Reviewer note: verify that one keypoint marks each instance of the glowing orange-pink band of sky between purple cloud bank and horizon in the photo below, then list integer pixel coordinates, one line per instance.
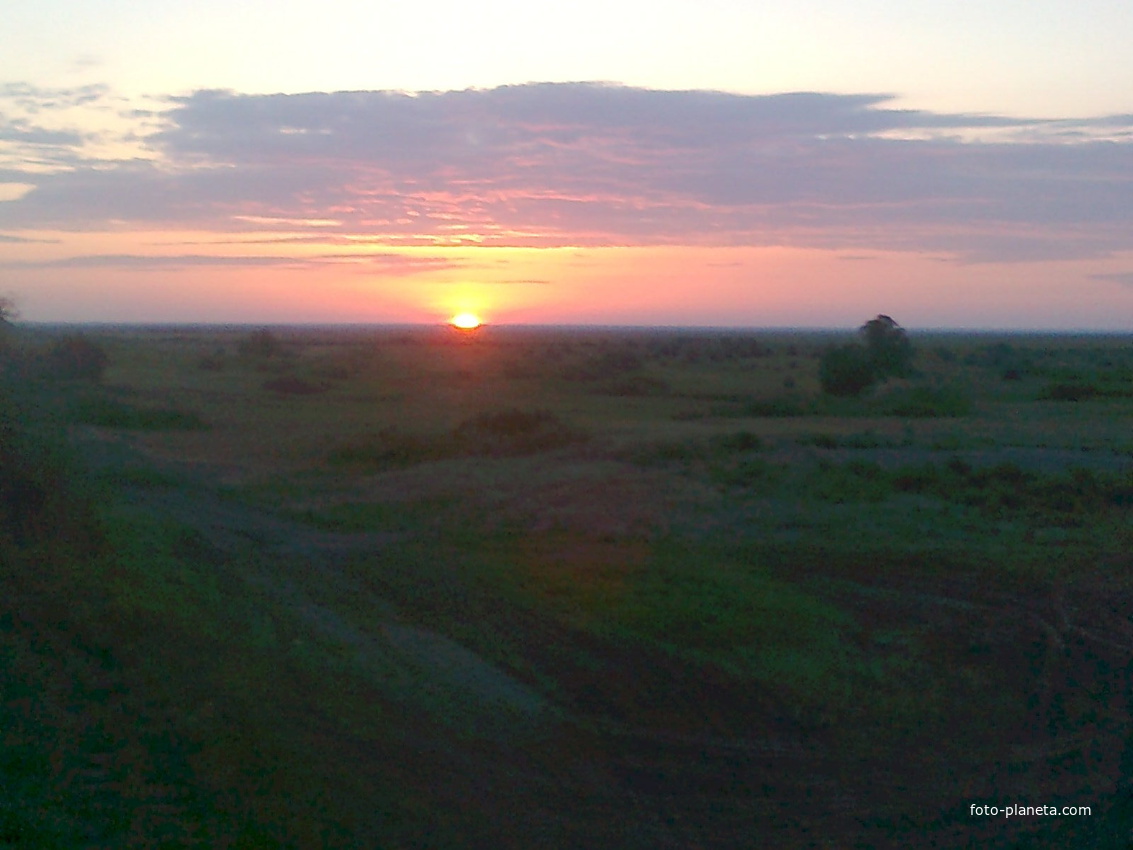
(652, 286)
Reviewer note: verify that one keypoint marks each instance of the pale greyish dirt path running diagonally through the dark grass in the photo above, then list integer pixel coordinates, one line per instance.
(302, 569)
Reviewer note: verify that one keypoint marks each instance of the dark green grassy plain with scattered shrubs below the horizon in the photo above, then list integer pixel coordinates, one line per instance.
(516, 589)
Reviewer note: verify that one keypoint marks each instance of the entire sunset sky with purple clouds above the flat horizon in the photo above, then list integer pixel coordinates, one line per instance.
(719, 163)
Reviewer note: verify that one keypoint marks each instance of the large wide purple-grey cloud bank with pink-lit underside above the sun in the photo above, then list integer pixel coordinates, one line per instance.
(583, 165)
